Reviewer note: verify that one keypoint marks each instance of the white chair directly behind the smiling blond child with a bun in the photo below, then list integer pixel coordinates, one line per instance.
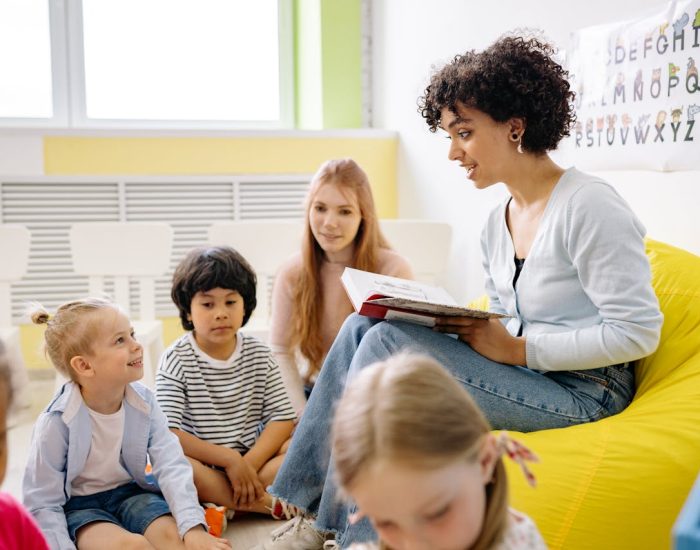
(124, 250)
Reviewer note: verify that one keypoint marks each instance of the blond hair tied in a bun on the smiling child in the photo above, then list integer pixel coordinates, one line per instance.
(68, 332)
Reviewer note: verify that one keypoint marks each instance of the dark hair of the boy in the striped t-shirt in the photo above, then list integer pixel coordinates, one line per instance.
(216, 267)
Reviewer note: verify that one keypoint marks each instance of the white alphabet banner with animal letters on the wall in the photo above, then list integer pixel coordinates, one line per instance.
(638, 92)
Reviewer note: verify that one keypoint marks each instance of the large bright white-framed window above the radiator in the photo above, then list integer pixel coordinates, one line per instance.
(152, 64)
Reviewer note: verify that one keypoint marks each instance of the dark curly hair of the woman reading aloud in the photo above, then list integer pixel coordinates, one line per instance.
(515, 77)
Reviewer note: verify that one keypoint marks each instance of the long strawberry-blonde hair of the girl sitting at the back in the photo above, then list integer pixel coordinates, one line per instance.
(308, 301)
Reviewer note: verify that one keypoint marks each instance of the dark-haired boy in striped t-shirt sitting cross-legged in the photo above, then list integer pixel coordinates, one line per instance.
(221, 389)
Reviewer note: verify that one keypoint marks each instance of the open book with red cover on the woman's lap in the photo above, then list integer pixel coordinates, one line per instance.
(385, 297)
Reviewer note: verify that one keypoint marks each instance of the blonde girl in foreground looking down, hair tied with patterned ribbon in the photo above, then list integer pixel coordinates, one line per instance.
(416, 455)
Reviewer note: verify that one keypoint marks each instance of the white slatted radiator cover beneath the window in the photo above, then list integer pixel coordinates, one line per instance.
(48, 205)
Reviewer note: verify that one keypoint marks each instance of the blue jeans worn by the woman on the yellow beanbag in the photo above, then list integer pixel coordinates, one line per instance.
(512, 398)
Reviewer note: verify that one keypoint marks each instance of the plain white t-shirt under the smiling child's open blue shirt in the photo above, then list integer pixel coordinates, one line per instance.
(103, 468)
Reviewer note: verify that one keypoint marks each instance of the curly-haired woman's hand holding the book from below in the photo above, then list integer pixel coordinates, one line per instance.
(488, 337)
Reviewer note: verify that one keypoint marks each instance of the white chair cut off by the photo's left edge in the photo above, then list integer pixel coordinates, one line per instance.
(14, 250)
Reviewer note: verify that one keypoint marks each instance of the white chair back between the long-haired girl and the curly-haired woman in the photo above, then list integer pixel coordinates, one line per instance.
(425, 244)
